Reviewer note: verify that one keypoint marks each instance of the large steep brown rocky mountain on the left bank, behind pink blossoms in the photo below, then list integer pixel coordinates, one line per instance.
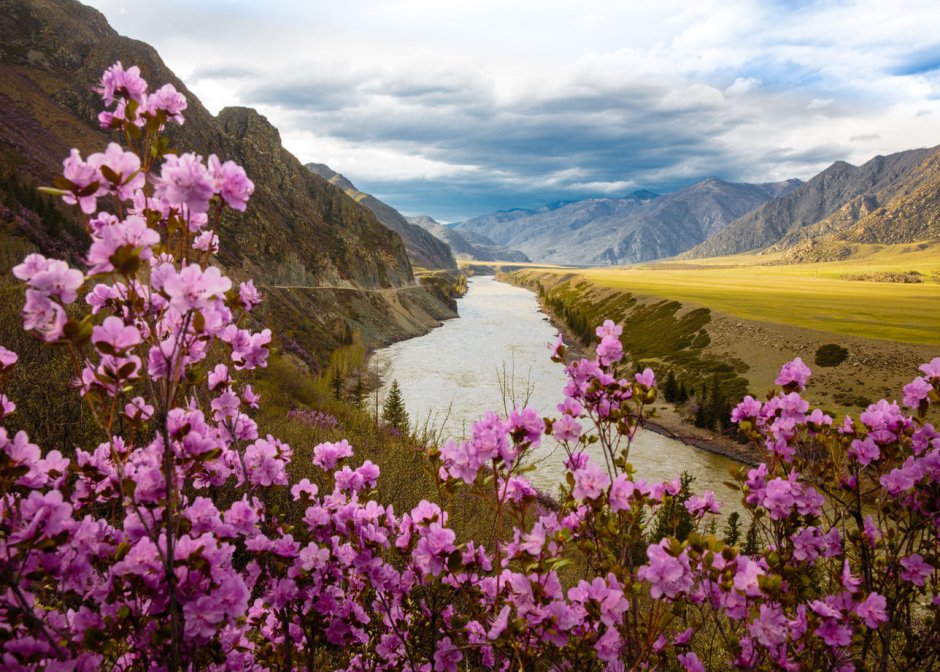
(324, 262)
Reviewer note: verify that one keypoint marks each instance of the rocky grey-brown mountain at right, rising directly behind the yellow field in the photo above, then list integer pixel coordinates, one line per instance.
(837, 201)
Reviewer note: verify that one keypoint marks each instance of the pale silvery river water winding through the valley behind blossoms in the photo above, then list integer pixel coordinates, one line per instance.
(496, 353)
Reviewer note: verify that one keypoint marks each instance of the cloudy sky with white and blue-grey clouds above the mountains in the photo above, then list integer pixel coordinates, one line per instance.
(455, 108)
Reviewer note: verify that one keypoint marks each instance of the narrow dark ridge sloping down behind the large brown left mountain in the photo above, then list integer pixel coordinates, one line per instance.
(424, 249)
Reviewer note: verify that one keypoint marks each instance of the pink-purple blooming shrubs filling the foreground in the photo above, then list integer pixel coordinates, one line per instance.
(122, 555)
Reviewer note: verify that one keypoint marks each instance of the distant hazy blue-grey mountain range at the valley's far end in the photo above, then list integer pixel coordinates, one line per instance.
(641, 227)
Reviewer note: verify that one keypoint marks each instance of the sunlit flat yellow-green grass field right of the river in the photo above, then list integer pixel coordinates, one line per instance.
(813, 296)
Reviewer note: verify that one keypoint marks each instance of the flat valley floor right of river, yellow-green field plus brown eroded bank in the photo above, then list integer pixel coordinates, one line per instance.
(760, 315)
